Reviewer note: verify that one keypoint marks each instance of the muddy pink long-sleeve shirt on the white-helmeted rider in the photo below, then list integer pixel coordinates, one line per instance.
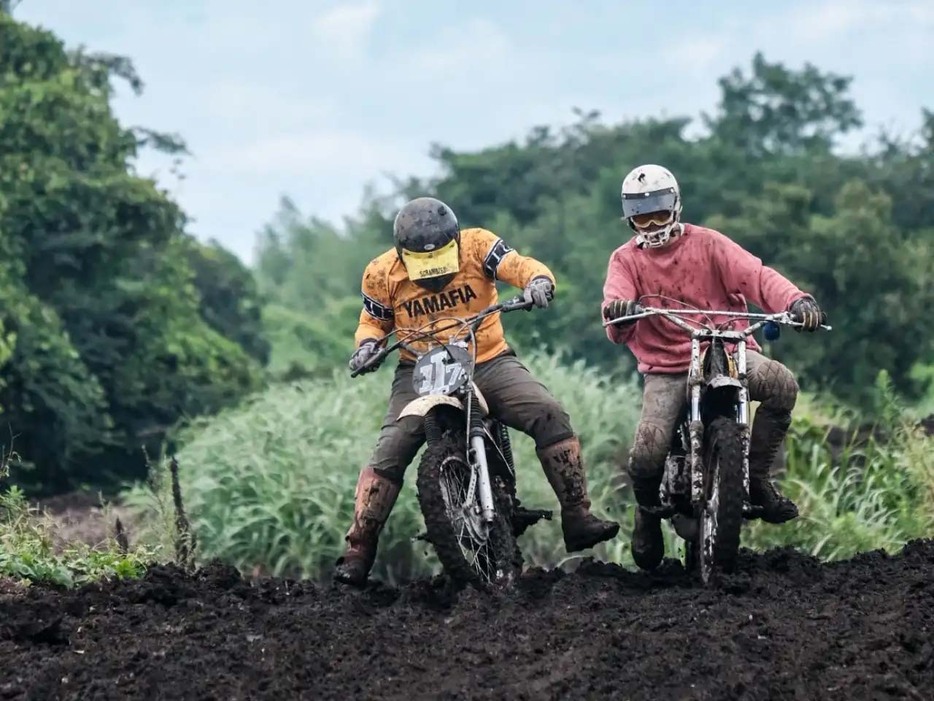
(701, 269)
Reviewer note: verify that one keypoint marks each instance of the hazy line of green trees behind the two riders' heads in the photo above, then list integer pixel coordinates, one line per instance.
(856, 229)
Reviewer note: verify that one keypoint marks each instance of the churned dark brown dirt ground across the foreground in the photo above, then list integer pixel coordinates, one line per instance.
(783, 627)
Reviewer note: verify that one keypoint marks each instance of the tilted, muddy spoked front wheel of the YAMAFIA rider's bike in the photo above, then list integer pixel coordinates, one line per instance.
(470, 549)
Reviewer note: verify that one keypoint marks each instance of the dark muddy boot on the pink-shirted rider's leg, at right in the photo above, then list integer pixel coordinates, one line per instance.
(768, 431)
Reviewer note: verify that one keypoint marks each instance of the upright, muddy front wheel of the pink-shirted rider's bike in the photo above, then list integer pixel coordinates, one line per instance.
(721, 519)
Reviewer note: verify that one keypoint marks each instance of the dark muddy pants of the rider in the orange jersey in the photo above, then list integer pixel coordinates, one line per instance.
(514, 397)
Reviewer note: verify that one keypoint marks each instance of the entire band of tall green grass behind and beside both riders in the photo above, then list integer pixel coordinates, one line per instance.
(270, 484)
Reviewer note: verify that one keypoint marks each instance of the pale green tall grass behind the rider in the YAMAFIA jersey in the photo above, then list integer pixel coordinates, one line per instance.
(271, 483)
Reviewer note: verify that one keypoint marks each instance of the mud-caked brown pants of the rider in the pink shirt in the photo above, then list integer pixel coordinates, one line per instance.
(665, 397)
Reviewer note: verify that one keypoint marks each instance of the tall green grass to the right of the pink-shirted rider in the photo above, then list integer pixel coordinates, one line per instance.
(870, 493)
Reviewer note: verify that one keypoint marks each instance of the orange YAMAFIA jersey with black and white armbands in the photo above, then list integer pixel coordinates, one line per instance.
(392, 301)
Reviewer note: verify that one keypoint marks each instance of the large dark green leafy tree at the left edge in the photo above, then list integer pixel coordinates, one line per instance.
(109, 348)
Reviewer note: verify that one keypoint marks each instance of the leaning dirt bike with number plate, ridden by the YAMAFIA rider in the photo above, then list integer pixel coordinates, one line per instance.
(466, 482)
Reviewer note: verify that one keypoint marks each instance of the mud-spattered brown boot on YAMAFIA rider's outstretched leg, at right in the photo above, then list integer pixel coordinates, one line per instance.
(564, 469)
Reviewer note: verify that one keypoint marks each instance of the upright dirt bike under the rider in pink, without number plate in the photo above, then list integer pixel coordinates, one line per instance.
(705, 488)
